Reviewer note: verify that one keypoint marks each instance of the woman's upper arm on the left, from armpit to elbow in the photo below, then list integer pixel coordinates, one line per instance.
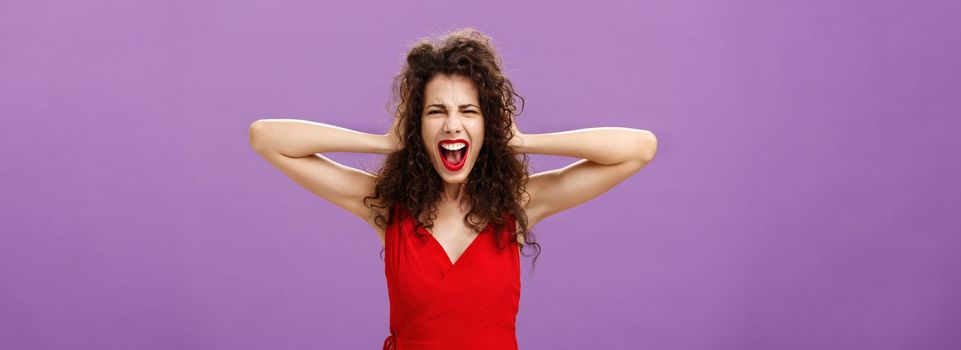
(341, 185)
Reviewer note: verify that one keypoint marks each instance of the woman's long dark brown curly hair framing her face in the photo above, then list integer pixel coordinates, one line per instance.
(498, 180)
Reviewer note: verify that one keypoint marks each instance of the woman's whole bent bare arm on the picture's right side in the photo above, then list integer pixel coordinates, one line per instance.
(610, 155)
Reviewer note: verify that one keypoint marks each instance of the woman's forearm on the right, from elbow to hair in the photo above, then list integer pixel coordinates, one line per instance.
(605, 145)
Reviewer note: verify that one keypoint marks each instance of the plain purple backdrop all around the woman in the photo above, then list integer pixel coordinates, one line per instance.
(804, 195)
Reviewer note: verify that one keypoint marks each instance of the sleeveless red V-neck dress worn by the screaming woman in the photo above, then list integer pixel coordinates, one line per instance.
(435, 304)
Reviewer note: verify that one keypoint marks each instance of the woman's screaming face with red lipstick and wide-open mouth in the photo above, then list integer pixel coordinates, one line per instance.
(452, 126)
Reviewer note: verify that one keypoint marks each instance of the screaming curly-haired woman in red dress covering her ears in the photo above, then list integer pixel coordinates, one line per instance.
(452, 200)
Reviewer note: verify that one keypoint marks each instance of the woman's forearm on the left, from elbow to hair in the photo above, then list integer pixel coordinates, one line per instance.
(301, 138)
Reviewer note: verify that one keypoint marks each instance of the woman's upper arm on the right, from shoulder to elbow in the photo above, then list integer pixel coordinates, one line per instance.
(557, 190)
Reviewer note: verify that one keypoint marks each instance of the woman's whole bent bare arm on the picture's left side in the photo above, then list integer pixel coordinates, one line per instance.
(293, 147)
